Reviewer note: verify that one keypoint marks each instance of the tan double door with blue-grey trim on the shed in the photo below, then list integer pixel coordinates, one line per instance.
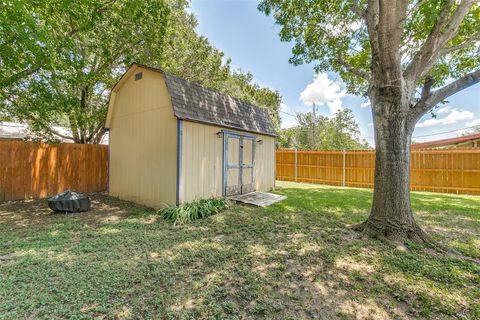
(239, 160)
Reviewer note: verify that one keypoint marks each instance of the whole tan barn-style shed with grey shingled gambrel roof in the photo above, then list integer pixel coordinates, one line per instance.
(173, 141)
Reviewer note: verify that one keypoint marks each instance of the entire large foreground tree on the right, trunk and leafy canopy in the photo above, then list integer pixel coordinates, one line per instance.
(387, 50)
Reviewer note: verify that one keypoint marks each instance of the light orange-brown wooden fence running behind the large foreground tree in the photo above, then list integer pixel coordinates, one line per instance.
(447, 170)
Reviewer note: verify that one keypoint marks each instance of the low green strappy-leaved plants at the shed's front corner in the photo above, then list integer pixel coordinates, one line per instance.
(194, 210)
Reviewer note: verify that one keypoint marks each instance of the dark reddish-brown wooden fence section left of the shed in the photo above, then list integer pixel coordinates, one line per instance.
(37, 170)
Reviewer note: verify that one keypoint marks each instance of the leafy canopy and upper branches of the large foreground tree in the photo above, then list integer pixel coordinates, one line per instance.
(438, 40)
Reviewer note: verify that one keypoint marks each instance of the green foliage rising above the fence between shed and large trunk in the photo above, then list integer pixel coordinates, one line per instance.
(323, 133)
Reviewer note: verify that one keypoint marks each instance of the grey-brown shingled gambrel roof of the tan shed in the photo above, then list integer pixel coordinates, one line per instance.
(195, 103)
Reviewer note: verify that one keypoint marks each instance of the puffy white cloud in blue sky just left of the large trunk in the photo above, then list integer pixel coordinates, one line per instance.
(323, 91)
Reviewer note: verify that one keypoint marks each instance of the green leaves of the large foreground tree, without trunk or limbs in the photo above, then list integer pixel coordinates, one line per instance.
(324, 31)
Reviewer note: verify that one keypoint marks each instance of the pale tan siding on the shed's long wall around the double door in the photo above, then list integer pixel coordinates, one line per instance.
(202, 162)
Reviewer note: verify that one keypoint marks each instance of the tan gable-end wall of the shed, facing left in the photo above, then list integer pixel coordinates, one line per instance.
(143, 142)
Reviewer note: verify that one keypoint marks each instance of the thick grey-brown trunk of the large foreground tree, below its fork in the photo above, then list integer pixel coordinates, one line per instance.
(391, 214)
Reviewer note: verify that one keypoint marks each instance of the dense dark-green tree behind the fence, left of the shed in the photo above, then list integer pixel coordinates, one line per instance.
(75, 51)
